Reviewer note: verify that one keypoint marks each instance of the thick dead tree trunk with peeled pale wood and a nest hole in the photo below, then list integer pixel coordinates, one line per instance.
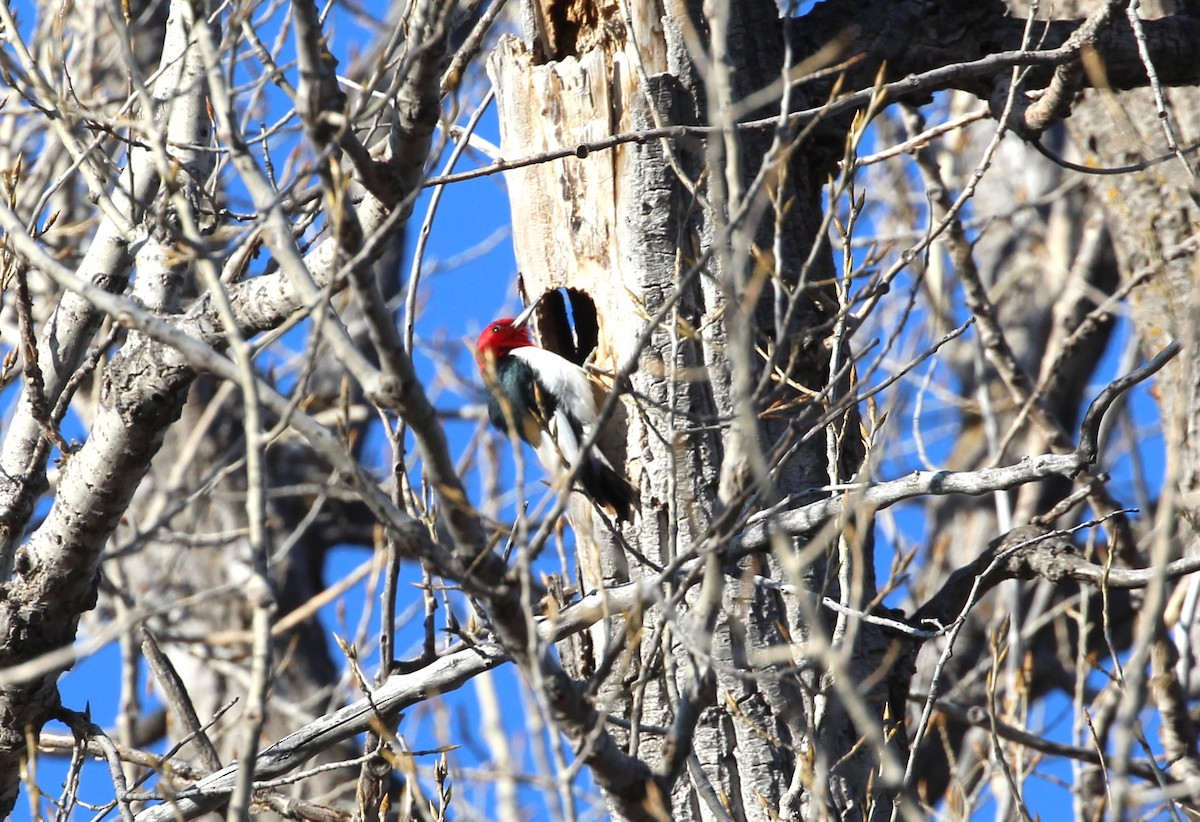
(686, 265)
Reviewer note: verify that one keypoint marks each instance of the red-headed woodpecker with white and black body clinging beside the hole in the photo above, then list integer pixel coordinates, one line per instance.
(554, 405)
